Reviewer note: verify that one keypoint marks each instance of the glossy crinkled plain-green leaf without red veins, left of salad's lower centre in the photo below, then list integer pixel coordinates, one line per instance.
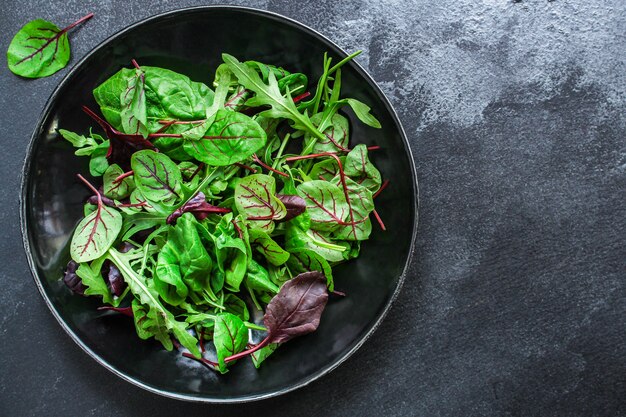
(183, 263)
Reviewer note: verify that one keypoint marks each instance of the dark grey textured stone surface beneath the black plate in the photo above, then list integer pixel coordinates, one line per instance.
(516, 301)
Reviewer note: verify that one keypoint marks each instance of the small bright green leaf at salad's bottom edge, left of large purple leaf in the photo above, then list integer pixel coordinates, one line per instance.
(230, 336)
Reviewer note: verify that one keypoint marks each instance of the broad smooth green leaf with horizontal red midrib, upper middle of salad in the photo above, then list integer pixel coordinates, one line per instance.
(231, 138)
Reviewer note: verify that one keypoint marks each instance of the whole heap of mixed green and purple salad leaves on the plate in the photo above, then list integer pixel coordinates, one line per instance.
(214, 207)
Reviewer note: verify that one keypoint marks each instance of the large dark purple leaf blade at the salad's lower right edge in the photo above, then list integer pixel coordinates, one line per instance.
(297, 308)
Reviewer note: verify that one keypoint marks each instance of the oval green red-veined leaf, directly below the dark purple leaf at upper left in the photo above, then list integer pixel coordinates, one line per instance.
(157, 176)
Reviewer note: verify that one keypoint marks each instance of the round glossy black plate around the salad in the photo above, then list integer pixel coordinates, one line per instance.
(191, 41)
